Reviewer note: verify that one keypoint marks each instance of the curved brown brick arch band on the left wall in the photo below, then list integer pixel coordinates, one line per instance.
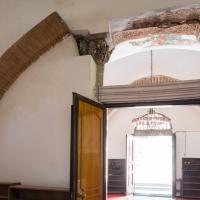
(29, 48)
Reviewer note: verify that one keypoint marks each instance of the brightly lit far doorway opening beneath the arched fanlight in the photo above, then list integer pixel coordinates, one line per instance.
(153, 165)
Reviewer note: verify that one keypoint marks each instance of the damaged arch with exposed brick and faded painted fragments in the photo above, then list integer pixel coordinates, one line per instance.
(164, 27)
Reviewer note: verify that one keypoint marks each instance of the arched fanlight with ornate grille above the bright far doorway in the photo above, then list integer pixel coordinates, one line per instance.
(152, 123)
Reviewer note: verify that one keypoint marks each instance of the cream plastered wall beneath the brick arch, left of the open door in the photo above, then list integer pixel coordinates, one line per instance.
(35, 117)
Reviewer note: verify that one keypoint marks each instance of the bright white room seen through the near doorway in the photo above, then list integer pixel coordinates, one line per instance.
(157, 155)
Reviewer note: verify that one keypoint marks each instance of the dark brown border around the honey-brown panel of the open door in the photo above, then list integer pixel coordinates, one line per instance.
(74, 142)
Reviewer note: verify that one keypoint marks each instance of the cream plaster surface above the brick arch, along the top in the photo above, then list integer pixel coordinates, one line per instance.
(19, 16)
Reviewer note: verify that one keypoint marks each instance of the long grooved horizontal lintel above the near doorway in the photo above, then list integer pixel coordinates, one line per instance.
(129, 94)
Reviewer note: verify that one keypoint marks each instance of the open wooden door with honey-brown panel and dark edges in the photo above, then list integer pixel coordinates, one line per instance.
(87, 150)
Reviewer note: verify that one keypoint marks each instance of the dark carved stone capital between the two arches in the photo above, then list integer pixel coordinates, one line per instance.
(94, 45)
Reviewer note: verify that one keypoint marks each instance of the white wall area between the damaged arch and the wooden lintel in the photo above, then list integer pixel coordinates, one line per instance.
(176, 62)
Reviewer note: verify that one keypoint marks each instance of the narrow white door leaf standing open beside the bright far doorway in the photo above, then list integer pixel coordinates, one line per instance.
(130, 164)
